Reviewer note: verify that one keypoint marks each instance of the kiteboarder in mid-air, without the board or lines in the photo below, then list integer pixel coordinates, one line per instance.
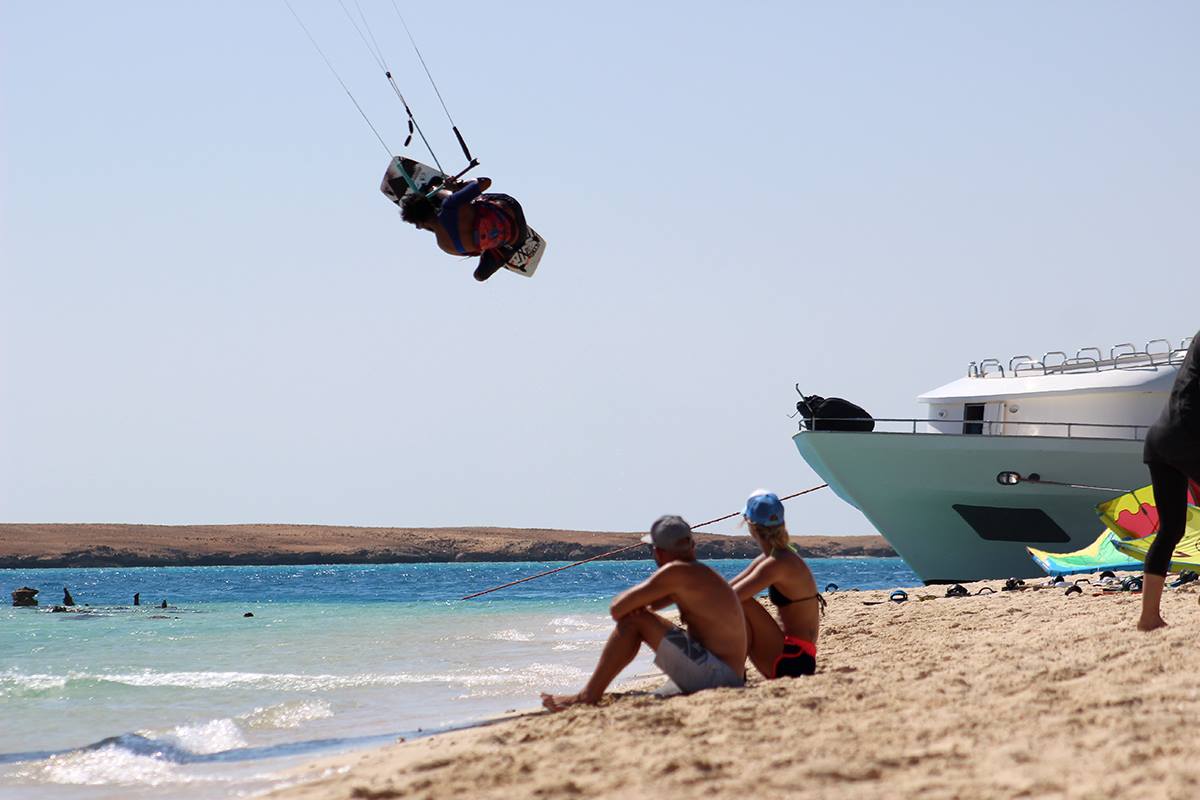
(469, 222)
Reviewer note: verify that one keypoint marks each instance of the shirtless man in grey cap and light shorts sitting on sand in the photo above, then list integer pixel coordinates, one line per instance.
(711, 653)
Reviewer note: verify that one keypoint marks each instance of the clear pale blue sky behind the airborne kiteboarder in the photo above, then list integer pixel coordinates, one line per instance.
(211, 315)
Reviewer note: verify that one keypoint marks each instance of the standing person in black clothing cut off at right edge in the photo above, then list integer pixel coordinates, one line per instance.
(1173, 455)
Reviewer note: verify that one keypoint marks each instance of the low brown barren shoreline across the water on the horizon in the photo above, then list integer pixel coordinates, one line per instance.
(65, 546)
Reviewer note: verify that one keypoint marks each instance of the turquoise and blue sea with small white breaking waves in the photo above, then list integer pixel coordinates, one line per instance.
(251, 671)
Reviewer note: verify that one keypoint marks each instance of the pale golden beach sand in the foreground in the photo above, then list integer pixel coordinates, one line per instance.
(1012, 695)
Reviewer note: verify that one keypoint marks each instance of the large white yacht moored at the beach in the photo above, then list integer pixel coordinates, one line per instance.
(931, 485)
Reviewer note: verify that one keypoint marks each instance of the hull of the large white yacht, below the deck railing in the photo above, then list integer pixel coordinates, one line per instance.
(937, 501)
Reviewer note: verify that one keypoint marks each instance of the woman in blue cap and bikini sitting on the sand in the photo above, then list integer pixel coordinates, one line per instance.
(778, 652)
